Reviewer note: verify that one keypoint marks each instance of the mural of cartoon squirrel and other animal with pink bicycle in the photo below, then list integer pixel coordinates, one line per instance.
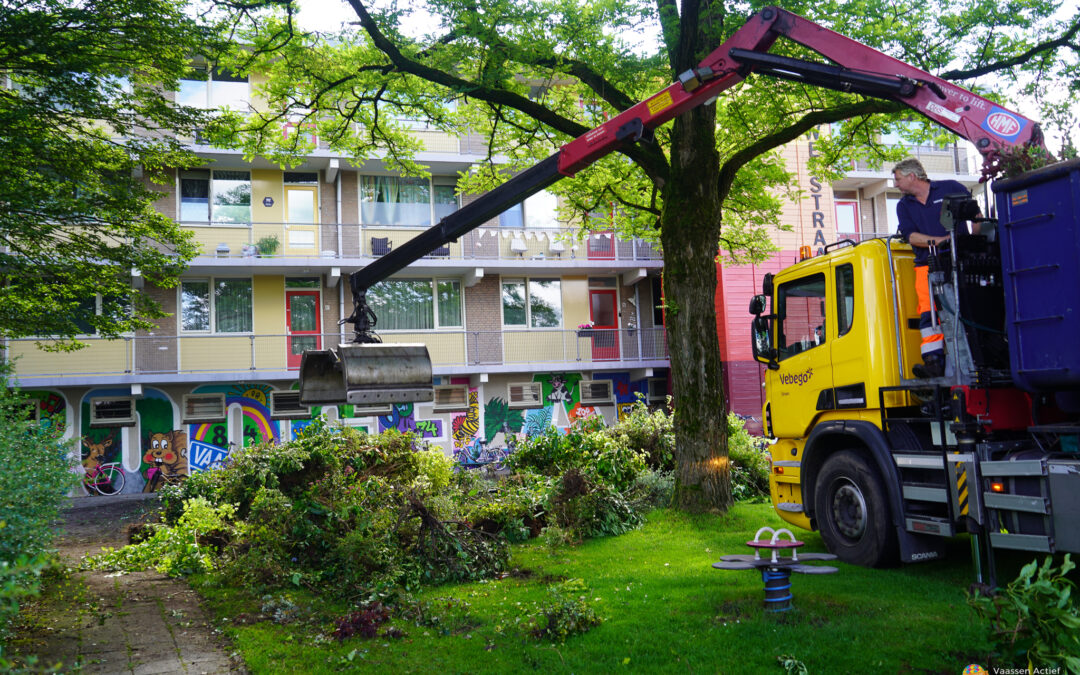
(158, 421)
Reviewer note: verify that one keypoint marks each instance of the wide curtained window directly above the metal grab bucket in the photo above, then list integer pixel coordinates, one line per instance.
(417, 304)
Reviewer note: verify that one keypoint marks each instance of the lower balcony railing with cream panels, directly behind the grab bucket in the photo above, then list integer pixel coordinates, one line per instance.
(224, 355)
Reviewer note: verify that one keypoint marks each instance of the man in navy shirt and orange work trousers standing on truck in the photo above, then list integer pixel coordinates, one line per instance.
(920, 214)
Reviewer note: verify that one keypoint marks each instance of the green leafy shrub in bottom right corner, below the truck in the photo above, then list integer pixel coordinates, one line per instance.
(1035, 618)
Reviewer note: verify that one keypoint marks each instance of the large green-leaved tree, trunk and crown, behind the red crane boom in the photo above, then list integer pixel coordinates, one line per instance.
(530, 75)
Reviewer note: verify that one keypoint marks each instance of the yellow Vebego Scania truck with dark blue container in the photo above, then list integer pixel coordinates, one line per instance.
(885, 465)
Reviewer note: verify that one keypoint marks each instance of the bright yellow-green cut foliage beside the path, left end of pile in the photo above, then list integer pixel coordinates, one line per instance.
(178, 551)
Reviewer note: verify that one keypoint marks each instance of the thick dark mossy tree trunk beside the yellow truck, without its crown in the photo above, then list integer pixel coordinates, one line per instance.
(691, 227)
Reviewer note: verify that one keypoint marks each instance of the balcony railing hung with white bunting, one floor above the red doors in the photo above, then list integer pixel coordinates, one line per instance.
(361, 241)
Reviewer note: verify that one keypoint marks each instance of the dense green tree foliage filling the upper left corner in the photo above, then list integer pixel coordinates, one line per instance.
(87, 127)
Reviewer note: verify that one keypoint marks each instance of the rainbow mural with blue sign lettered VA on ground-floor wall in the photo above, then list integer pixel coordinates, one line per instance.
(209, 442)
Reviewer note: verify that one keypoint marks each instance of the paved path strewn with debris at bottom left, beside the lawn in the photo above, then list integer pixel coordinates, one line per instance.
(142, 624)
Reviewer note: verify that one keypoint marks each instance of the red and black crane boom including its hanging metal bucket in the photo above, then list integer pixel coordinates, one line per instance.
(368, 372)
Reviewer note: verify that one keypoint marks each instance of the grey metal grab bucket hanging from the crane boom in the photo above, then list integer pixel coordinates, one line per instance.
(367, 375)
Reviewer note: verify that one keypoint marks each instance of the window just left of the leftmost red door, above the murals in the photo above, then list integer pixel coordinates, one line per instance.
(217, 306)
